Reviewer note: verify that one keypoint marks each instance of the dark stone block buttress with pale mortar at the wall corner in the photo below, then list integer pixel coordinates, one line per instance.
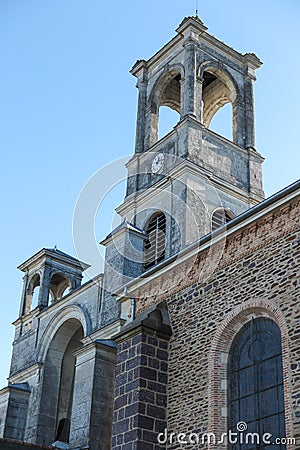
(140, 410)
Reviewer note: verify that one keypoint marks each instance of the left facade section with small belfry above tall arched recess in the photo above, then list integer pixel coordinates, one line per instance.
(41, 362)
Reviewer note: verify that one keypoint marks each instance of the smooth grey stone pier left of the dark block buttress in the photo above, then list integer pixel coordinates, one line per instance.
(92, 410)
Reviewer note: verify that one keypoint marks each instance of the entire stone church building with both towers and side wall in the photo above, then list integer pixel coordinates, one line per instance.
(138, 357)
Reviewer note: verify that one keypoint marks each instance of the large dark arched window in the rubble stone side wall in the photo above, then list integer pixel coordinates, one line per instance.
(255, 382)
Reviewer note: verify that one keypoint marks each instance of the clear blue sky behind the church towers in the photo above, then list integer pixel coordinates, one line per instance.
(68, 107)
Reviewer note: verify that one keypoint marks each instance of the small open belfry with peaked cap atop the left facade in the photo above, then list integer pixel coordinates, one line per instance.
(52, 272)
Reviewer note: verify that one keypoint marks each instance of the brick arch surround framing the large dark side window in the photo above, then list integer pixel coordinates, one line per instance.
(219, 354)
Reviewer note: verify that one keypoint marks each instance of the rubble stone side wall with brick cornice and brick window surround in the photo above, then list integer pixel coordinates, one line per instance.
(259, 272)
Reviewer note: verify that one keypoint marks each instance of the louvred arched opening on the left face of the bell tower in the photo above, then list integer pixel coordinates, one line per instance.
(154, 250)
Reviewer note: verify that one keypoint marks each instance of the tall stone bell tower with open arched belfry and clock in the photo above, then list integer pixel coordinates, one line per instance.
(195, 177)
